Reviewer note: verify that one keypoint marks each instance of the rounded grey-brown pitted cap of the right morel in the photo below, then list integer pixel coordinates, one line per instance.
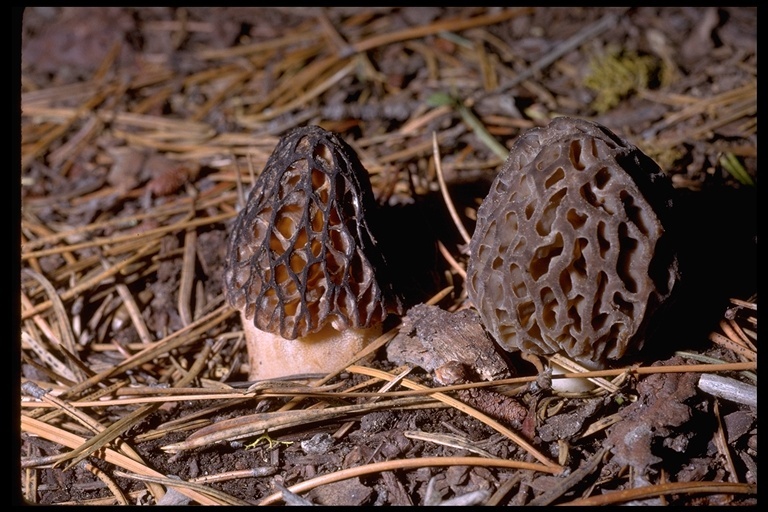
(570, 253)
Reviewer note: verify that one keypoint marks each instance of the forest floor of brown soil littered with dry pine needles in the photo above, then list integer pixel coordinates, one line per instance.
(141, 128)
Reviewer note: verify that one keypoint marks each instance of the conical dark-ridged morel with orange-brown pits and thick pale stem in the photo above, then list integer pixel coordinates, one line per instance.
(303, 266)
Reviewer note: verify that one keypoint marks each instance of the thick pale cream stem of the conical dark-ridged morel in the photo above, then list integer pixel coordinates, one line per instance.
(271, 356)
